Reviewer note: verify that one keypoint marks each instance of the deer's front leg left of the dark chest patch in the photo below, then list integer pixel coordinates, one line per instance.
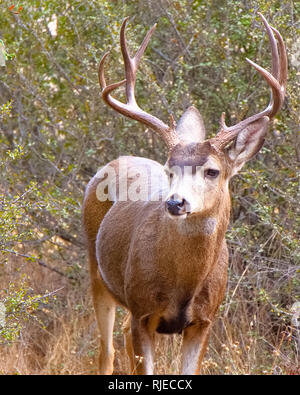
(143, 346)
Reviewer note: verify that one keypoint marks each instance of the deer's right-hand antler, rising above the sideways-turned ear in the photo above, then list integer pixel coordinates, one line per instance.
(277, 81)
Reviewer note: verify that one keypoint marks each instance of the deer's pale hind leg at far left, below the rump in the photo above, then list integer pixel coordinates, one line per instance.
(104, 306)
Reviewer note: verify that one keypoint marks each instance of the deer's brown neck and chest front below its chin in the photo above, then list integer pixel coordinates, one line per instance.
(192, 245)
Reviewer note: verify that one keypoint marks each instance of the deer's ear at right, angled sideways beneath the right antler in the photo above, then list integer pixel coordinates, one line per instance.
(248, 142)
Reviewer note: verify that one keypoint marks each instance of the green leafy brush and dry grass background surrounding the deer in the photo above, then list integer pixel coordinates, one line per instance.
(56, 132)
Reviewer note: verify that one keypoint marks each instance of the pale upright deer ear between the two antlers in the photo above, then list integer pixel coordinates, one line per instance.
(190, 126)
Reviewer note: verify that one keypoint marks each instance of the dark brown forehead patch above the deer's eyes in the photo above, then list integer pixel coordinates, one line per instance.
(193, 154)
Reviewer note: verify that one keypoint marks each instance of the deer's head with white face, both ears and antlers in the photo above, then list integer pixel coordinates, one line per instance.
(200, 168)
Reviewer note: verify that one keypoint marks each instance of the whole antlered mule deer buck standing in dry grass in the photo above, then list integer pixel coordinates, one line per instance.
(163, 256)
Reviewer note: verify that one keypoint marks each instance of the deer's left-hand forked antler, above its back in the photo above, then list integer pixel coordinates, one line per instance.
(131, 108)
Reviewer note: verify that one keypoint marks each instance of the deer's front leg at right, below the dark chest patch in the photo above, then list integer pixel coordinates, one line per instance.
(195, 340)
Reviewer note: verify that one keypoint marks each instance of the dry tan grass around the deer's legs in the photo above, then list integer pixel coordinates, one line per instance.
(68, 343)
